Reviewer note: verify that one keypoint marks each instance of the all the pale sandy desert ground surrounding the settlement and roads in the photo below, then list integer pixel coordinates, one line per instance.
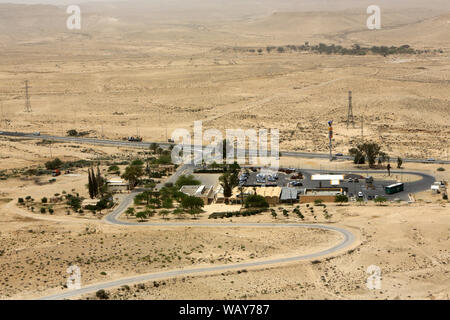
(129, 75)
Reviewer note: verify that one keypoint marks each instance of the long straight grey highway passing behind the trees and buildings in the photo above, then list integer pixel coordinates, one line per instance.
(147, 145)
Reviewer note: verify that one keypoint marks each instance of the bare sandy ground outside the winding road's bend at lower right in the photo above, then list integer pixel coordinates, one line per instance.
(409, 244)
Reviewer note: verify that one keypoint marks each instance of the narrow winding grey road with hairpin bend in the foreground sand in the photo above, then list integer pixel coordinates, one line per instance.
(347, 241)
